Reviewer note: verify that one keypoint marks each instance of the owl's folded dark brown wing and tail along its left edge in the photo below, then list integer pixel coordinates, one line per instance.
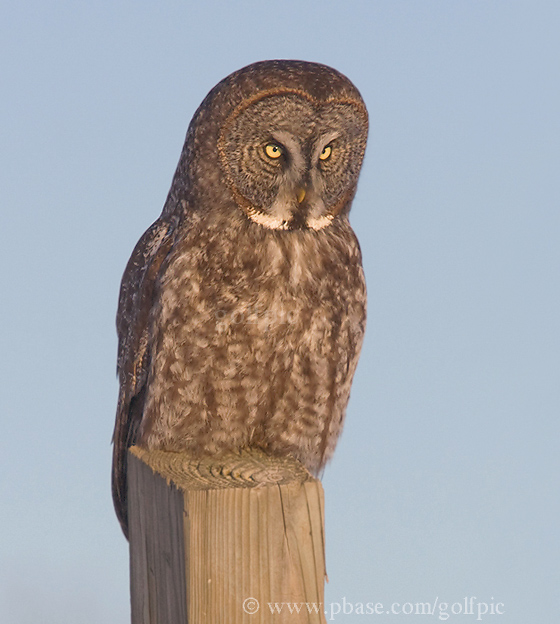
(135, 303)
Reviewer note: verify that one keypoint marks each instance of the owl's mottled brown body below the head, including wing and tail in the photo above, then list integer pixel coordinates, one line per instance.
(225, 342)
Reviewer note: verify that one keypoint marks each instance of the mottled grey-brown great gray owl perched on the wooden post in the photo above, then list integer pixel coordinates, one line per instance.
(242, 309)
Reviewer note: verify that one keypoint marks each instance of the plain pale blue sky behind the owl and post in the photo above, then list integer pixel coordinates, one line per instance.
(445, 482)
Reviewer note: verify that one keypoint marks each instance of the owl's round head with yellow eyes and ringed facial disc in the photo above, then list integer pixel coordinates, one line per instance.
(285, 140)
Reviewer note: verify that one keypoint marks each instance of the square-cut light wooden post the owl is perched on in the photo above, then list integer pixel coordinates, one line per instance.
(236, 540)
